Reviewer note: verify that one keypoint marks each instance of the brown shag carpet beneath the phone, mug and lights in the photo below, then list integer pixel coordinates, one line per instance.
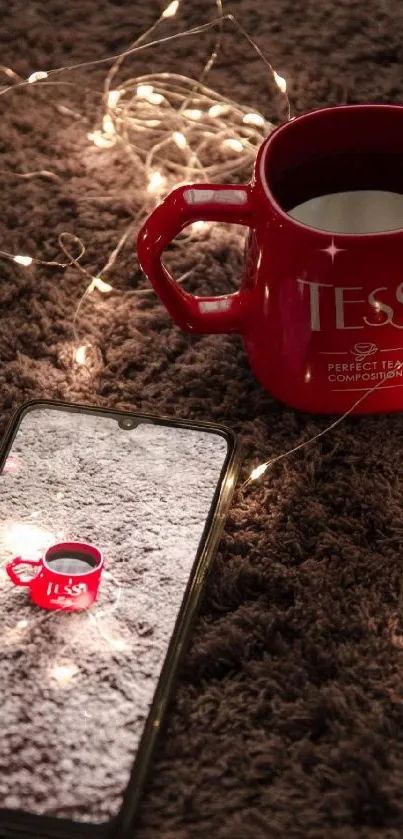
(288, 715)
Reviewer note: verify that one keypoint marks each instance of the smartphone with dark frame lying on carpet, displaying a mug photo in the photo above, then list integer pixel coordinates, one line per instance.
(108, 526)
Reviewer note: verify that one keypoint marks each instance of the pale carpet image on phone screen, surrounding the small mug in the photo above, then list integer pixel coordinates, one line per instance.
(76, 687)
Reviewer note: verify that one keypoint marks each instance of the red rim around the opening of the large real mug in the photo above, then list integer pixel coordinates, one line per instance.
(261, 178)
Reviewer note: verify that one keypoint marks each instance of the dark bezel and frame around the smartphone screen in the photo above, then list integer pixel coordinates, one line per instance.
(26, 825)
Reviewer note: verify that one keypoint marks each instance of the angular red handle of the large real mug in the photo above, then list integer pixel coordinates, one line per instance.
(186, 204)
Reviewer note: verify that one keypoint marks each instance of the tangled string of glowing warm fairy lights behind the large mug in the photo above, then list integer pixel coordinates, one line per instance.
(171, 127)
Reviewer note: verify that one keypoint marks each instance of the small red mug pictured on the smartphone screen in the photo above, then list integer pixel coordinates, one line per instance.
(67, 579)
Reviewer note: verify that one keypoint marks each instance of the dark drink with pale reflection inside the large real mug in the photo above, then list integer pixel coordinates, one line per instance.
(346, 193)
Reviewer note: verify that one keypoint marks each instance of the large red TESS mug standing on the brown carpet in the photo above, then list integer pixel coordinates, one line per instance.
(320, 306)
